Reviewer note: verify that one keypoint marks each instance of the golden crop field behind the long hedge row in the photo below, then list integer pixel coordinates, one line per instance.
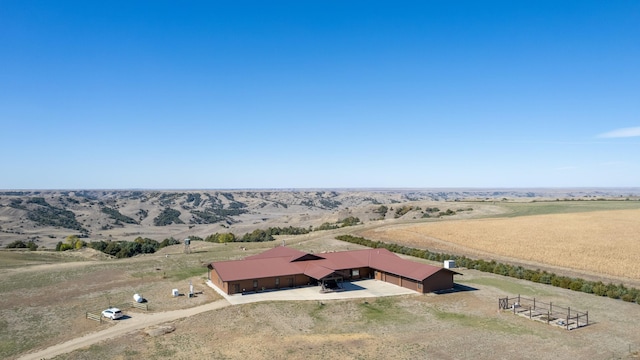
(603, 242)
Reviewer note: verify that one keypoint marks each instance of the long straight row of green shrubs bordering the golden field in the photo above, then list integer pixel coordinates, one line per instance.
(614, 291)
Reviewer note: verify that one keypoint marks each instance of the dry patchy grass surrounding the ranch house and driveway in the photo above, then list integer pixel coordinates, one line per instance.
(43, 299)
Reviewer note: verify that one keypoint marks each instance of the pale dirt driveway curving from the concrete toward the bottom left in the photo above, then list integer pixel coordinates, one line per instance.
(134, 323)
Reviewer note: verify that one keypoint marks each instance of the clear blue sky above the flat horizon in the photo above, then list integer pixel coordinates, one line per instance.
(319, 94)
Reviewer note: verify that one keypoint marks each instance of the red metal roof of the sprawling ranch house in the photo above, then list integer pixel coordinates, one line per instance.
(283, 261)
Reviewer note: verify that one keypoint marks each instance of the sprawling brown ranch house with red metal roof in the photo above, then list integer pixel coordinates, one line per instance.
(283, 267)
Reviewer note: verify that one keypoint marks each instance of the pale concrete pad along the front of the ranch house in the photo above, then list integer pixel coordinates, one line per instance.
(350, 290)
